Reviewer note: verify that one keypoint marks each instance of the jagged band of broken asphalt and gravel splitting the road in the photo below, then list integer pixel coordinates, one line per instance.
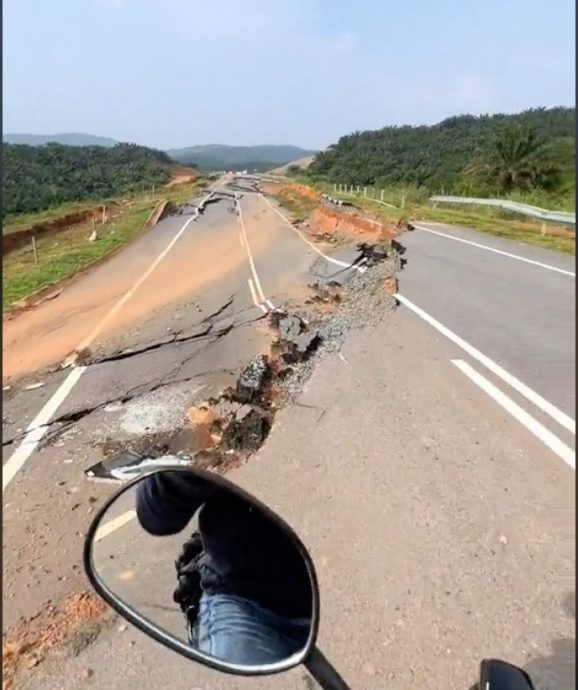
(226, 429)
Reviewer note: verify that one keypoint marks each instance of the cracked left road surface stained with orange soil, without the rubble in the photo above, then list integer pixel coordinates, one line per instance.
(182, 338)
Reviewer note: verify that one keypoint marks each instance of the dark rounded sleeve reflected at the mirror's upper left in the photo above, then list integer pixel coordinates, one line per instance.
(166, 501)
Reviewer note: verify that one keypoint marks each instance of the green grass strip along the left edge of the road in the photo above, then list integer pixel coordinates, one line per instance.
(64, 254)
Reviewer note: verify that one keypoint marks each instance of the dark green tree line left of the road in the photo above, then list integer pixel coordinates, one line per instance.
(35, 178)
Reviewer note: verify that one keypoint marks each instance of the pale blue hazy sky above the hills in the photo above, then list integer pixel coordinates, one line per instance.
(173, 73)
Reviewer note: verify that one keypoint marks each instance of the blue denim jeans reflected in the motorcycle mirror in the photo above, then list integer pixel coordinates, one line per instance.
(239, 631)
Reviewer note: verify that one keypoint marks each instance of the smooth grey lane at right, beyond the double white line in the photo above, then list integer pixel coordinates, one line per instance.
(522, 315)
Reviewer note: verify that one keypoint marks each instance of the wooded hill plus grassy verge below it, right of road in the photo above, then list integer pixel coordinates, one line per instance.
(527, 158)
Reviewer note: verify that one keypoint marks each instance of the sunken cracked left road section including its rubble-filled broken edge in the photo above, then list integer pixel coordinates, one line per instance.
(192, 368)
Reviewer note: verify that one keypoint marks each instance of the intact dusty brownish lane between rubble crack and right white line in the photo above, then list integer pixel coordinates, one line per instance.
(441, 530)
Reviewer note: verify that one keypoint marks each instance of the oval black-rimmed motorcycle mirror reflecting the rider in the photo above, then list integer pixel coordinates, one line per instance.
(207, 570)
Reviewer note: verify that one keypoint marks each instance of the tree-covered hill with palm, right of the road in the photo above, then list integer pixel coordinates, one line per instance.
(486, 154)
